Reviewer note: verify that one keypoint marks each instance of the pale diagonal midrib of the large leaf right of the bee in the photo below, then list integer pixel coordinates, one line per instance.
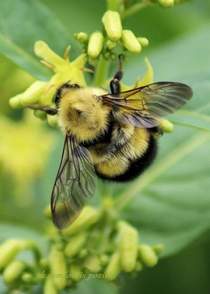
(151, 175)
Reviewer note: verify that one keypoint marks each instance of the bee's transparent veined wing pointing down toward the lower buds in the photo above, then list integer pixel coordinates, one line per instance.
(74, 183)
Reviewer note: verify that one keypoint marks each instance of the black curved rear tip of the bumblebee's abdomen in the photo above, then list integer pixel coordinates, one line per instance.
(138, 166)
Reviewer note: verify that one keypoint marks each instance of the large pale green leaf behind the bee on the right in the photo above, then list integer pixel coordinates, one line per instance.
(170, 202)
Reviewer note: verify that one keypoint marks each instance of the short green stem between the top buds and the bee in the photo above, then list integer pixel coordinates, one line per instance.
(101, 72)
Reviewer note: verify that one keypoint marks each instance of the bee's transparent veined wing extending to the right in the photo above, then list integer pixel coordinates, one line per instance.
(144, 105)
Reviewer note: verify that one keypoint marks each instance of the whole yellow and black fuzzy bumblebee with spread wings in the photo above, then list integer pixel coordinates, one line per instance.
(110, 135)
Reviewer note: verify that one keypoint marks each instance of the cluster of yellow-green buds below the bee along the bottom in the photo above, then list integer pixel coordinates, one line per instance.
(97, 244)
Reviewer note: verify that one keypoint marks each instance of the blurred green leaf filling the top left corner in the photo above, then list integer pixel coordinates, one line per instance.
(23, 22)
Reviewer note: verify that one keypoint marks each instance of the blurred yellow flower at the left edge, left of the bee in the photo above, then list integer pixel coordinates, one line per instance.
(16, 167)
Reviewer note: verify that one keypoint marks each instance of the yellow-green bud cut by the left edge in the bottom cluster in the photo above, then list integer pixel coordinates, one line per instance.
(8, 251)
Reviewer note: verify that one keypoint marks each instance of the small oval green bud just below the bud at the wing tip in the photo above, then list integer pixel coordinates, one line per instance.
(75, 244)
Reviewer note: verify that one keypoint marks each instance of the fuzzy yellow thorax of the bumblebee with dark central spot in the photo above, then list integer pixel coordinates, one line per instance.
(82, 114)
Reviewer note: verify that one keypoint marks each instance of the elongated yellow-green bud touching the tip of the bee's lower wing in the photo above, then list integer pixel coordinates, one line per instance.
(87, 218)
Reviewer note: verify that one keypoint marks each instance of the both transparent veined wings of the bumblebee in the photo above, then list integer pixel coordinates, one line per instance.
(141, 107)
